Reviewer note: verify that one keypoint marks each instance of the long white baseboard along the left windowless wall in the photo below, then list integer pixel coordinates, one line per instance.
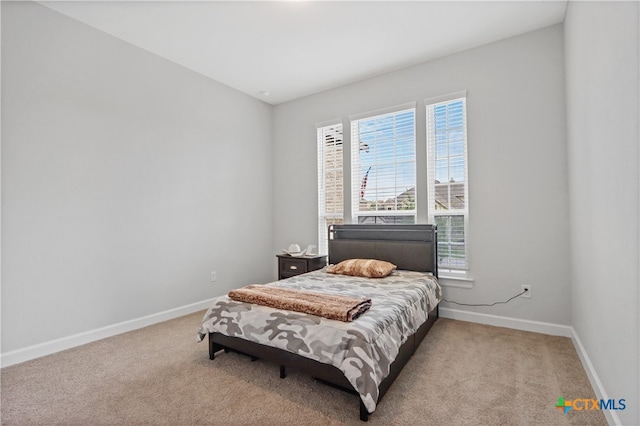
(57, 345)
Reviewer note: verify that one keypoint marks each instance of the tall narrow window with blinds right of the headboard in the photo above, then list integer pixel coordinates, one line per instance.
(448, 180)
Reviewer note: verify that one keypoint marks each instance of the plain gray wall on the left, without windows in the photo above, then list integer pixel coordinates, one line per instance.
(126, 179)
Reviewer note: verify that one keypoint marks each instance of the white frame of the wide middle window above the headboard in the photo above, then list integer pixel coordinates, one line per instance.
(356, 178)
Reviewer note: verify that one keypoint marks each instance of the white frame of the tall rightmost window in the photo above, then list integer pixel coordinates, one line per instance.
(447, 270)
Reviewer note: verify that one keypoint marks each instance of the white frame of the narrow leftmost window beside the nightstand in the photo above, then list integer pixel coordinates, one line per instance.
(326, 218)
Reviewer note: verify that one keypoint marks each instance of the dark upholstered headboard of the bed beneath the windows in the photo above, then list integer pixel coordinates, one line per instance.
(410, 247)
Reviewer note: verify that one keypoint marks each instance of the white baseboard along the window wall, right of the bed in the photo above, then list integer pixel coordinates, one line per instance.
(515, 323)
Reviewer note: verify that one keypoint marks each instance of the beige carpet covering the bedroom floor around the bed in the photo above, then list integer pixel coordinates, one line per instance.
(462, 374)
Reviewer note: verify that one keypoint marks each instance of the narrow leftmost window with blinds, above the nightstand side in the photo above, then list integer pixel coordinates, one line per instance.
(330, 182)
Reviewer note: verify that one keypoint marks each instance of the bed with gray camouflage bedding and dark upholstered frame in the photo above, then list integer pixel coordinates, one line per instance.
(363, 356)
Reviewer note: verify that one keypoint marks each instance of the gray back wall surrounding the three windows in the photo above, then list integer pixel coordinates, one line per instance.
(519, 230)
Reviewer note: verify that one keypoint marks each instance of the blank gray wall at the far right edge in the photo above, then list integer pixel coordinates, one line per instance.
(602, 102)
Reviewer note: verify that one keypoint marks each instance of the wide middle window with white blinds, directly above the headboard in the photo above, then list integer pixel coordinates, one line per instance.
(383, 165)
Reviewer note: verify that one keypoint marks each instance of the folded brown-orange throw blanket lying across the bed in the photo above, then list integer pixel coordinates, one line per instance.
(330, 306)
